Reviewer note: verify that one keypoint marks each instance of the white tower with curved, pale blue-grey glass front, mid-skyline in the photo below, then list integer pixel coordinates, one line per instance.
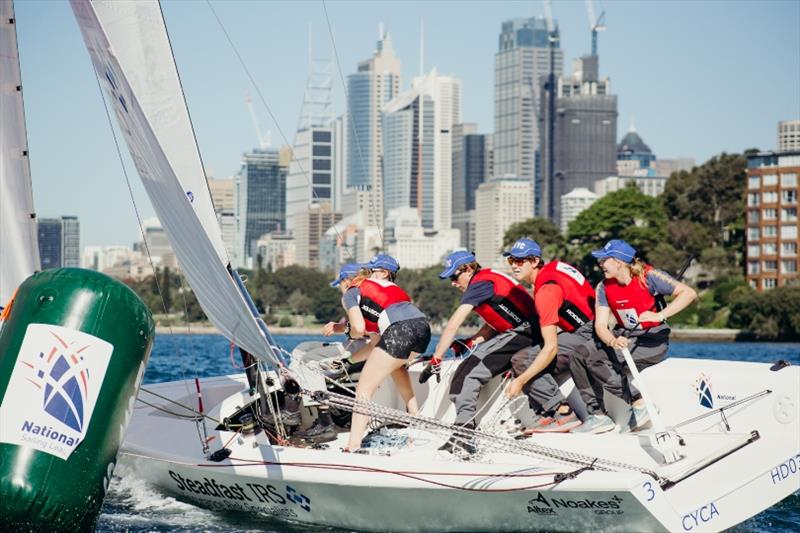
(417, 146)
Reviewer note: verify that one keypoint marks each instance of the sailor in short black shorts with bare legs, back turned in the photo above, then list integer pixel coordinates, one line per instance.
(378, 307)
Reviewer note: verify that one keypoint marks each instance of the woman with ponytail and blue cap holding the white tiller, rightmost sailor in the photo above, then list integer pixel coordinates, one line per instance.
(629, 292)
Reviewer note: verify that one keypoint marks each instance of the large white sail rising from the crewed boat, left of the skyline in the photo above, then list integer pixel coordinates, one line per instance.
(128, 44)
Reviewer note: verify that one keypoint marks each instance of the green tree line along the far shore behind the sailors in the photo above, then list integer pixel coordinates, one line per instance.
(701, 214)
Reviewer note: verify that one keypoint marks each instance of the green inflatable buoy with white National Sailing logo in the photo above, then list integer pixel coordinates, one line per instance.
(72, 355)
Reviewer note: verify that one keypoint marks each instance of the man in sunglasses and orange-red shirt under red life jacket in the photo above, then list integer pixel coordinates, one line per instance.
(564, 301)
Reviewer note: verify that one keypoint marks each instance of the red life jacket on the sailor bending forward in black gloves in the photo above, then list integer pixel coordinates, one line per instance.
(510, 307)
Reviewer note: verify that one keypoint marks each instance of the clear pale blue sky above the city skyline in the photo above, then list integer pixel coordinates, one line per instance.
(697, 78)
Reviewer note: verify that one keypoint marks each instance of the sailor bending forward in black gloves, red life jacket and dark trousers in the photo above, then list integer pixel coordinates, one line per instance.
(507, 310)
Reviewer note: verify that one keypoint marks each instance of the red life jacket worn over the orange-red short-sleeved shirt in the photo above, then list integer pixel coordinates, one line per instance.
(578, 306)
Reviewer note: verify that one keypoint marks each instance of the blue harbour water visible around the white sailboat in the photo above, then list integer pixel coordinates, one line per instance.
(133, 506)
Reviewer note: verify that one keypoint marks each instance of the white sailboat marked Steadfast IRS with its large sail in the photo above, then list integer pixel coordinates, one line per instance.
(734, 426)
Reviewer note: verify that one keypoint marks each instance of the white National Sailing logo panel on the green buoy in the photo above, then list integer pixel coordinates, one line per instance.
(53, 389)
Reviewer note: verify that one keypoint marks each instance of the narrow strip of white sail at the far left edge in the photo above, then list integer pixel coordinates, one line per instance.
(19, 251)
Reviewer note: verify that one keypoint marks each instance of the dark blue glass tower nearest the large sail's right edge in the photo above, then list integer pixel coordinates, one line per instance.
(260, 200)
